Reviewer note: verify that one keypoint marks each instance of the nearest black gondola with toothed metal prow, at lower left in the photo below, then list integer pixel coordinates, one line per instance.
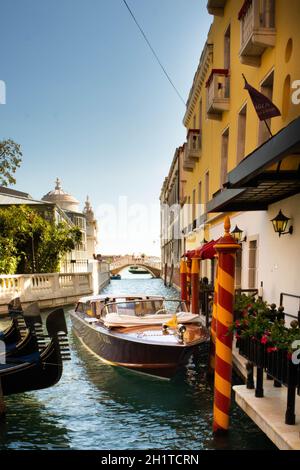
(42, 369)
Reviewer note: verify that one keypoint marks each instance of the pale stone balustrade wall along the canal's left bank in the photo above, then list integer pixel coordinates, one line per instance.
(53, 289)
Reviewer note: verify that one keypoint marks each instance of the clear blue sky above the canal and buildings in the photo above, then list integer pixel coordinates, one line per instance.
(88, 103)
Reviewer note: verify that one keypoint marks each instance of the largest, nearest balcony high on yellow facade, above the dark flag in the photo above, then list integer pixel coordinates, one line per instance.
(257, 30)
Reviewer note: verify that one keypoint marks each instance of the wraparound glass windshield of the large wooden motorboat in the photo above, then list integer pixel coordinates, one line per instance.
(140, 308)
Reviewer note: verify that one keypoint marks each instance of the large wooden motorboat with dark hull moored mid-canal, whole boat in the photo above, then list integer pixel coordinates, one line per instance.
(147, 334)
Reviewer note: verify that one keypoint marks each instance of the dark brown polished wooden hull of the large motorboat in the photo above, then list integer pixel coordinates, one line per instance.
(159, 360)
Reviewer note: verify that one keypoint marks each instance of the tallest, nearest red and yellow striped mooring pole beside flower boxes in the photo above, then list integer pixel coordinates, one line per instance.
(226, 249)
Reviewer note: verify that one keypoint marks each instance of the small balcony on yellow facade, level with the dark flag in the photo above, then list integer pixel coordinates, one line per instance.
(218, 93)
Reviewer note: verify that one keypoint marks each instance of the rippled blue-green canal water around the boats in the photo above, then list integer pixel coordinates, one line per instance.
(95, 406)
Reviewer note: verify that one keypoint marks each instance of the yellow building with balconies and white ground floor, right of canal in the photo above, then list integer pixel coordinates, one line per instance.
(230, 161)
